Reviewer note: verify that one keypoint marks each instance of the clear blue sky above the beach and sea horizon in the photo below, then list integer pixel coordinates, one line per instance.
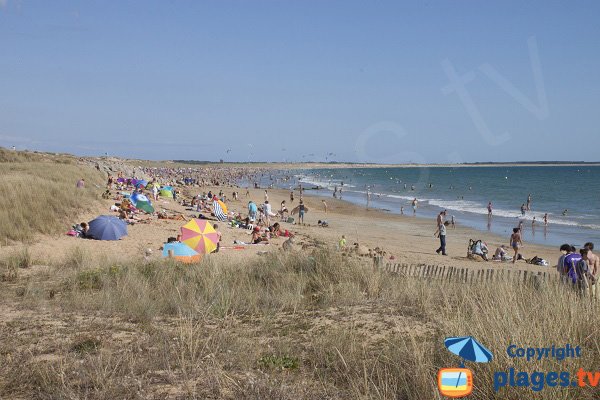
(302, 80)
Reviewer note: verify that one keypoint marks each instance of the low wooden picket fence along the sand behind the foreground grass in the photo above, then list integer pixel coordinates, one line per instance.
(467, 275)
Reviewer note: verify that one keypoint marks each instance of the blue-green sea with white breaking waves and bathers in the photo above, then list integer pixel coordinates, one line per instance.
(570, 195)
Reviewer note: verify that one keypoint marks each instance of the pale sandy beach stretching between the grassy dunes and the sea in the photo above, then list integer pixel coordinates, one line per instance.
(407, 238)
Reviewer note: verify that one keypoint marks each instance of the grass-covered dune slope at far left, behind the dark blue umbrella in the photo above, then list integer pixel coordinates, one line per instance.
(39, 193)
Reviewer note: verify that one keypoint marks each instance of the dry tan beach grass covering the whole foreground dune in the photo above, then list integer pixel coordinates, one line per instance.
(284, 326)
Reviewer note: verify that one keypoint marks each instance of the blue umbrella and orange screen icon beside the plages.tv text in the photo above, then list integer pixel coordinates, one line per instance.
(458, 382)
